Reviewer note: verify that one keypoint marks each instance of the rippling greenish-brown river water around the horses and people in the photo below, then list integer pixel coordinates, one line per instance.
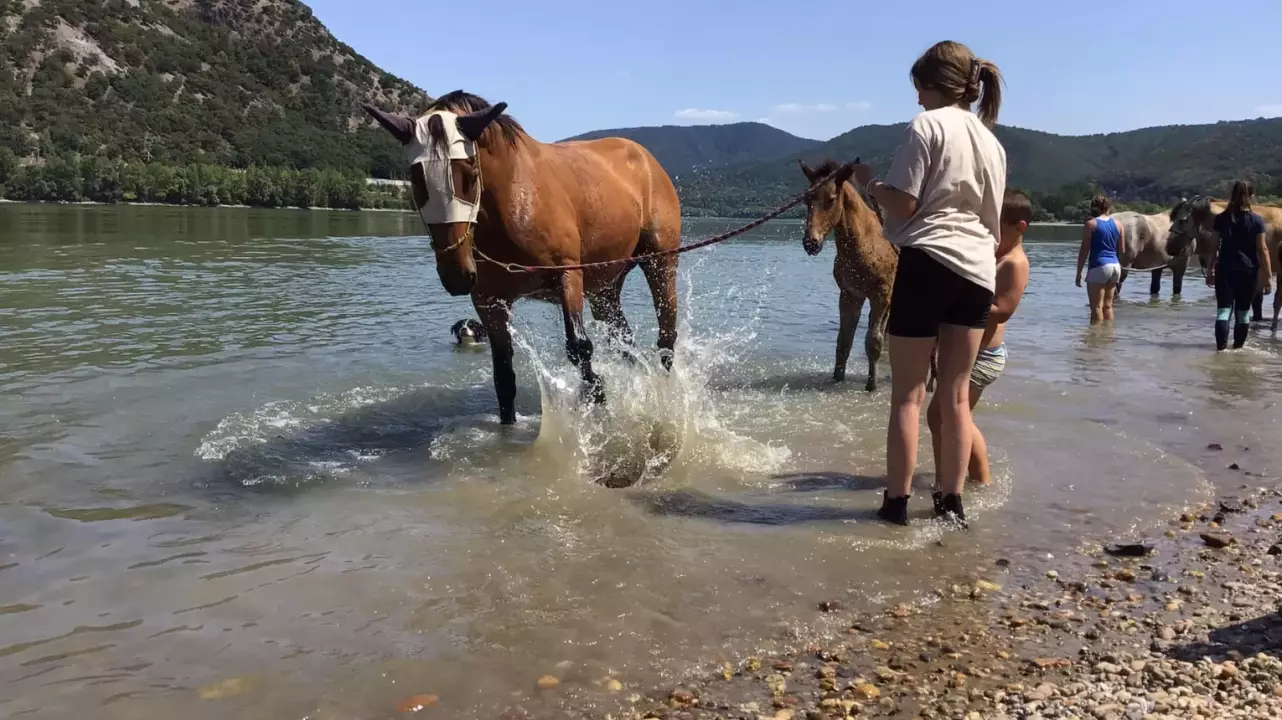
(244, 472)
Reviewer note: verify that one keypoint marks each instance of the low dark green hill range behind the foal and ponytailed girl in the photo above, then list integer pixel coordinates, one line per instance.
(1151, 166)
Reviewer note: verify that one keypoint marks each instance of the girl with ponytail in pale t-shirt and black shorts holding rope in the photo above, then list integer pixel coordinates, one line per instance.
(943, 207)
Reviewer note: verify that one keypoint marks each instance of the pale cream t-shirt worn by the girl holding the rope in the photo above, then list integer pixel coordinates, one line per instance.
(957, 170)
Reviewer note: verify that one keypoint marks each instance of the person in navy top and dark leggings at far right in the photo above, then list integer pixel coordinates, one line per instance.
(1242, 266)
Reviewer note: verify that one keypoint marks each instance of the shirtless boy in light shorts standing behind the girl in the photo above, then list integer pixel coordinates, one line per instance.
(1012, 281)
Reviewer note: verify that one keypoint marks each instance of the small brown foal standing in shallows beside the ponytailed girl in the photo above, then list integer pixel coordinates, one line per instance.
(866, 262)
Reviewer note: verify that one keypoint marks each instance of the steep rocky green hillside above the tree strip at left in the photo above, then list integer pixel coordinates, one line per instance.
(189, 83)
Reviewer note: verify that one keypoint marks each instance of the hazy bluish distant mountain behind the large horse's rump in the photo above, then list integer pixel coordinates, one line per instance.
(683, 151)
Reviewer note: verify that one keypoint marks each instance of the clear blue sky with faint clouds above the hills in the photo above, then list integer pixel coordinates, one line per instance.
(819, 69)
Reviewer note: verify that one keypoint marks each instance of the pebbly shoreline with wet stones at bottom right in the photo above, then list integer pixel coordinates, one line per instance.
(1190, 631)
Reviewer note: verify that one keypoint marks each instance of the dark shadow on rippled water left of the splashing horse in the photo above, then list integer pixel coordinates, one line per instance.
(307, 457)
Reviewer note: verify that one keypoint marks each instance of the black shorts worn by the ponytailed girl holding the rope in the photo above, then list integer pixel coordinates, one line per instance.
(928, 295)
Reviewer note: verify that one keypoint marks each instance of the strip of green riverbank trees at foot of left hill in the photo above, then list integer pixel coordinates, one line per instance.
(71, 179)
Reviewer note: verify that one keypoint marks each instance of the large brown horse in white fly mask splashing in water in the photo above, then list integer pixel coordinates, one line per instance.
(490, 194)
